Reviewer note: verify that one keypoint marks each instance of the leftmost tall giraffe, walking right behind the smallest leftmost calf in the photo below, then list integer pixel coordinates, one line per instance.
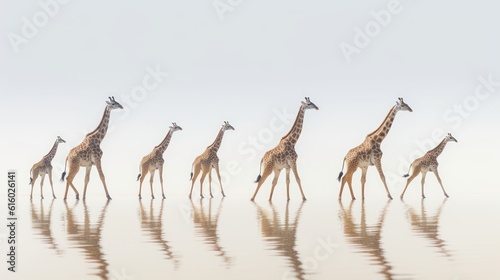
(89, 153)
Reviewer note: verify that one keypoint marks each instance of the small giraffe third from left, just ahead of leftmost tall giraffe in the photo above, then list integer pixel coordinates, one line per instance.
(154, 160)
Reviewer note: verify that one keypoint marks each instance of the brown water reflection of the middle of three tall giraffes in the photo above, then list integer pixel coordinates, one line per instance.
(282, 235)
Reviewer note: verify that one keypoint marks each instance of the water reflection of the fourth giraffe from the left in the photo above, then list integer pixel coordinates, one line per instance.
(206, 225)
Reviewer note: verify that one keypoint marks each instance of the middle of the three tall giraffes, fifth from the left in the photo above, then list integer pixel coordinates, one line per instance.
(284, 155)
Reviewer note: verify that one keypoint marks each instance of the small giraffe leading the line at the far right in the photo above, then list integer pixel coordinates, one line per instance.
(428, 163)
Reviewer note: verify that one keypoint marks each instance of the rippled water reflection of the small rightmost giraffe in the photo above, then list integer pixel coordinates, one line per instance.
(427, 226)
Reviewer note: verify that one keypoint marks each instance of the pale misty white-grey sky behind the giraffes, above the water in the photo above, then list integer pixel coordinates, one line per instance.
(243, 66)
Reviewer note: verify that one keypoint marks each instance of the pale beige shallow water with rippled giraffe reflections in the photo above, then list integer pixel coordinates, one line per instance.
(233, 238)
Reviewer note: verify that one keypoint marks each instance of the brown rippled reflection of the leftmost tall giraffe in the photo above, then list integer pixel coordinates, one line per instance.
(87, 236)
